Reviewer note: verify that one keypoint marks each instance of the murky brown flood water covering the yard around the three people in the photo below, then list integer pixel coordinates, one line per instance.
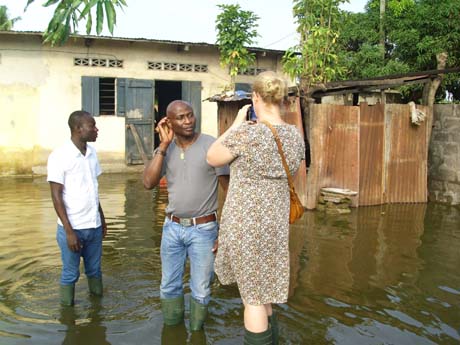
(380, 275)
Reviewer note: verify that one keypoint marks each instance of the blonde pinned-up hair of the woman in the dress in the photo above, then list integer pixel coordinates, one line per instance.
(270, 87)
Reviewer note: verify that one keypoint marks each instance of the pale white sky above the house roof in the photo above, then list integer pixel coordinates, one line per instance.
(181, 20)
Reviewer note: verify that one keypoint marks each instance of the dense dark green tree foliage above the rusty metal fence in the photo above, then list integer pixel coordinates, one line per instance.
(420, 35)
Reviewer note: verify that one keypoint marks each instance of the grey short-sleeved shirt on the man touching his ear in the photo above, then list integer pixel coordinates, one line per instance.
(192, 182)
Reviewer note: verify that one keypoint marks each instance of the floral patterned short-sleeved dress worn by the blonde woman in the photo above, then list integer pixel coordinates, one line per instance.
(254, 230)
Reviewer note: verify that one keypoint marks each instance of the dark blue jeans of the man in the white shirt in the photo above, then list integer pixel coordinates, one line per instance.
(91, 251)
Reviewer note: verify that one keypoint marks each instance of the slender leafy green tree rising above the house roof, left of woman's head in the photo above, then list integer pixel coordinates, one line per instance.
(236, 30)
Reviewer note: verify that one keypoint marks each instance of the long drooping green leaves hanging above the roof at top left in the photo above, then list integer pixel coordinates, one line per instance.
(69, 13)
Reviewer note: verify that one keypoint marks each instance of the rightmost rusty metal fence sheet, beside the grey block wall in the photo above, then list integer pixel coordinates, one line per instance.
(406, 179)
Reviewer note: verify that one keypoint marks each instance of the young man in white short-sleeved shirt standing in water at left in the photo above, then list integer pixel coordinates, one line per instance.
(72, 173)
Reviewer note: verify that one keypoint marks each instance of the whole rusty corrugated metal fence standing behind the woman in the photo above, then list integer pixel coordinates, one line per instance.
(374, 150)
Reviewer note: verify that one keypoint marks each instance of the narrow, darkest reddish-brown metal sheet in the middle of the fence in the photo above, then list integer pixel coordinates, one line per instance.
(371, 154)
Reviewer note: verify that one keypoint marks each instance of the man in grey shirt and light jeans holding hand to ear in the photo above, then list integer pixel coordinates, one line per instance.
(190, 227)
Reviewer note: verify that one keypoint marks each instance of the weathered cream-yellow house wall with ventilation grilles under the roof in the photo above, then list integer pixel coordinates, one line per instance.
(40, 86)
